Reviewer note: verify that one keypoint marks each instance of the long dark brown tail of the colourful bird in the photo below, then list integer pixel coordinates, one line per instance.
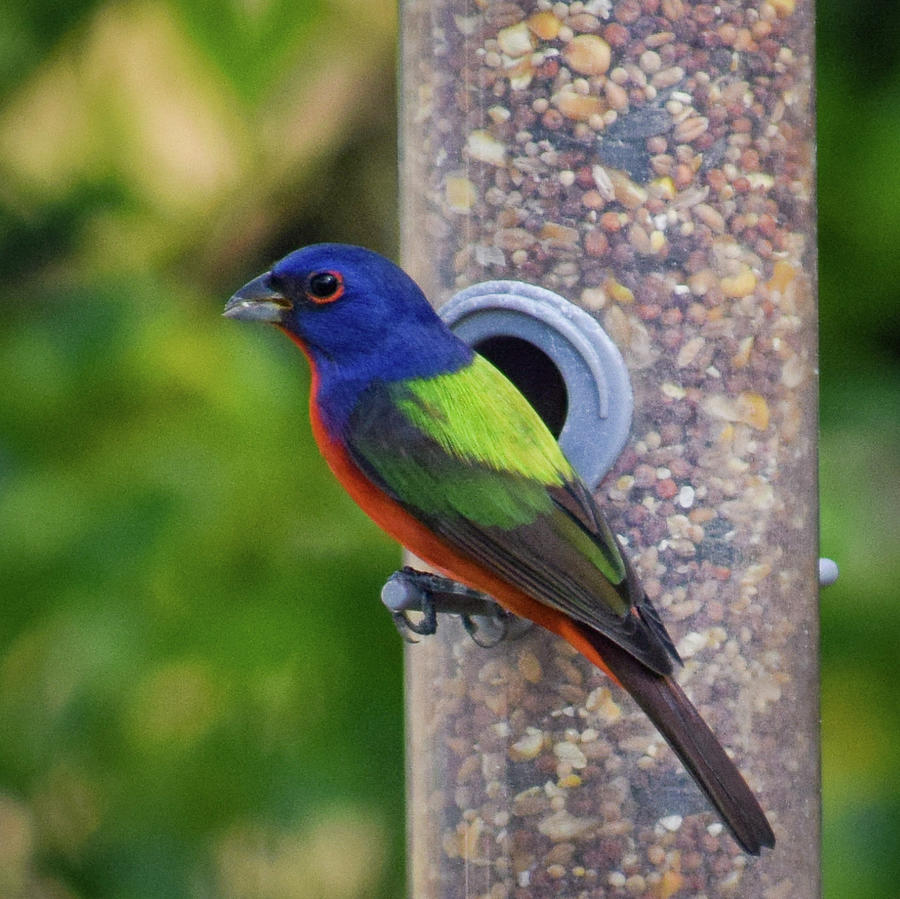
(665, 703)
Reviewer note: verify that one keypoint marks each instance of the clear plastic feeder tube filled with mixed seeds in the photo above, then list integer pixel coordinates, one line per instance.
(653, 162)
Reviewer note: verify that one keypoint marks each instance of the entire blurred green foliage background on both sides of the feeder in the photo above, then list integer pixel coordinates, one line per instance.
(199, 692)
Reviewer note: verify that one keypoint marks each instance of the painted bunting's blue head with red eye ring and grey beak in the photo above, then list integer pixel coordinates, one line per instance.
(358, 316)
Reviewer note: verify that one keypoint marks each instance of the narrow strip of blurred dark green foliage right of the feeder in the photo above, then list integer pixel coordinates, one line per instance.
(859, 270)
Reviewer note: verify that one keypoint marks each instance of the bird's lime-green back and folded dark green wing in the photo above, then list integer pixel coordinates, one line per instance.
(466, 454)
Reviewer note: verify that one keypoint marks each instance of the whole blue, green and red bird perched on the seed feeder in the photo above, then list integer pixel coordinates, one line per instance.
(446, 455)
